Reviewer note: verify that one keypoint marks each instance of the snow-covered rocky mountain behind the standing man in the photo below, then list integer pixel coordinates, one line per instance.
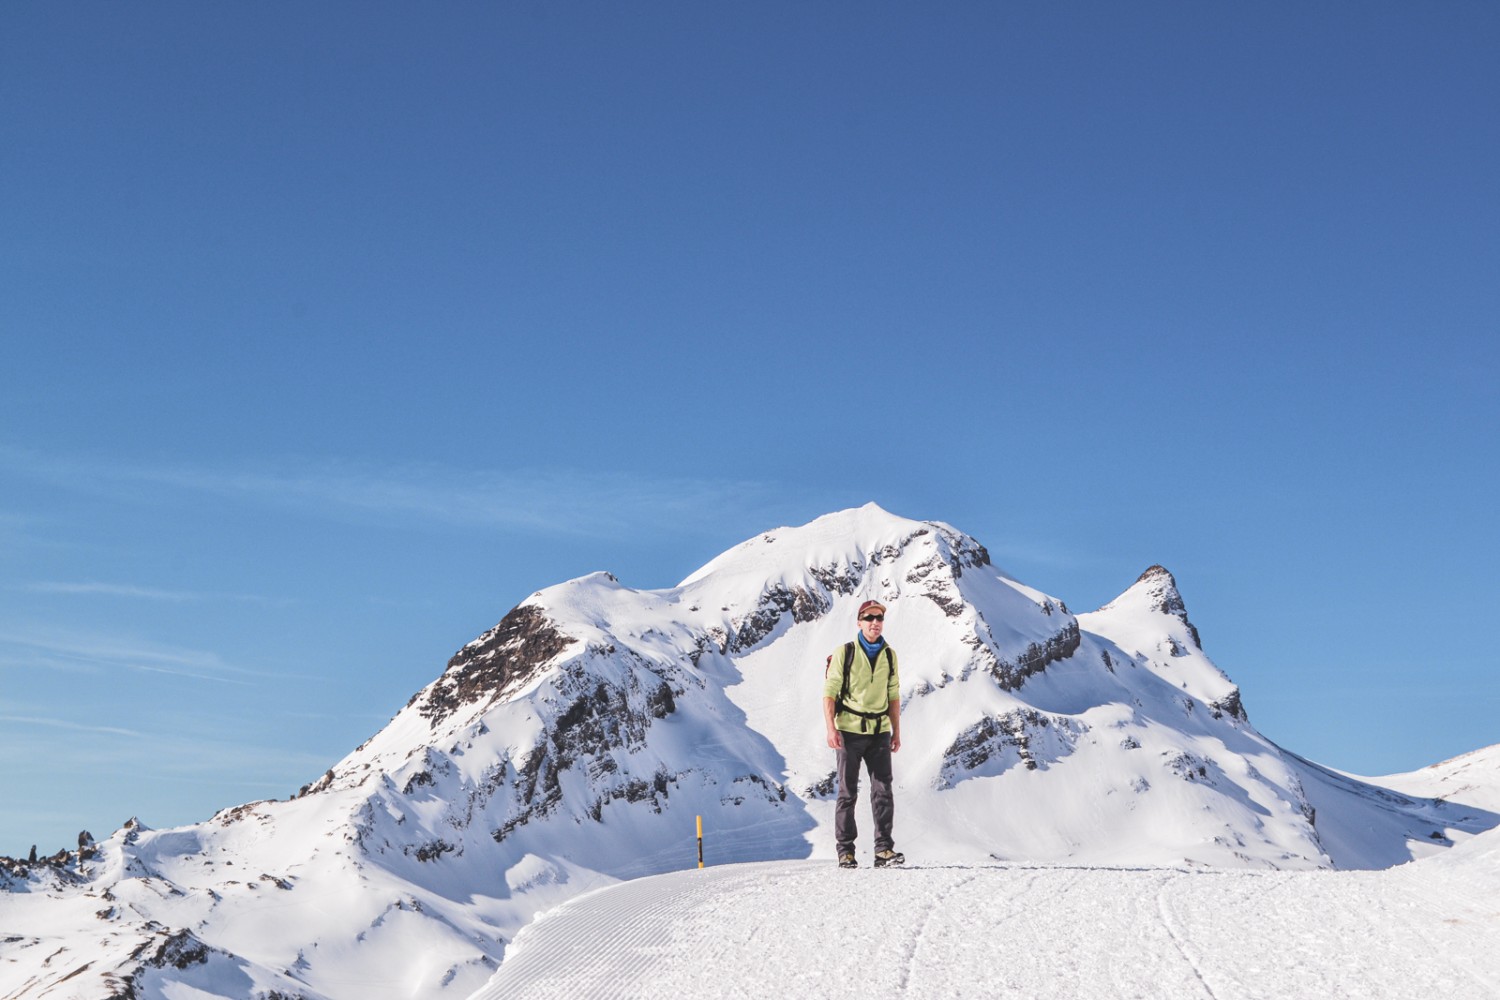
(574, 746)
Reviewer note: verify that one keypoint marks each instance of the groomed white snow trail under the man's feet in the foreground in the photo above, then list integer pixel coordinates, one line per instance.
(808, 929)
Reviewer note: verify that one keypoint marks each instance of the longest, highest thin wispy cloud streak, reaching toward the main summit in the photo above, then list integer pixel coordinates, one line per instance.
(553, 501)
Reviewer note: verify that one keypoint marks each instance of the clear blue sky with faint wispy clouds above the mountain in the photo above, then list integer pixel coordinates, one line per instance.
(335, 331)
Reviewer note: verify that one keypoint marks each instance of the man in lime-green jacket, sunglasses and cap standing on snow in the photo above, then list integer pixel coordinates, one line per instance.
(863, 716)
